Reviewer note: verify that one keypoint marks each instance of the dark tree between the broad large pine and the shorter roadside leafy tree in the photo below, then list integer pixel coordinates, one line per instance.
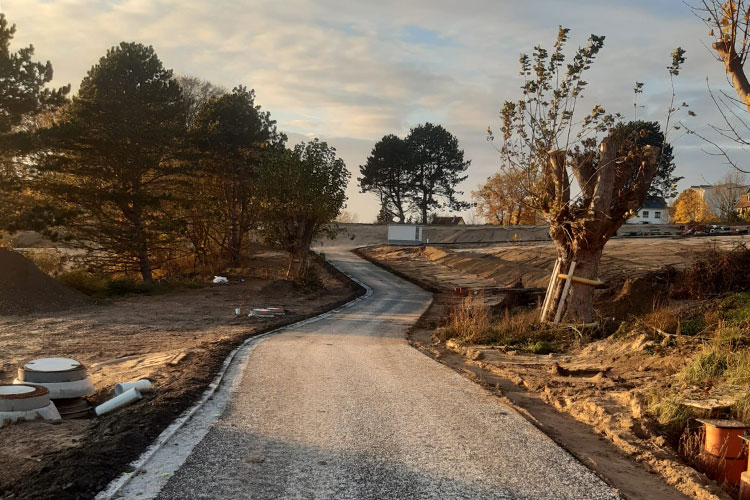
(229, 134)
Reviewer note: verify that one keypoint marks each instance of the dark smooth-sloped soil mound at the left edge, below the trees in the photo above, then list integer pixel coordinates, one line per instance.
(25, 289)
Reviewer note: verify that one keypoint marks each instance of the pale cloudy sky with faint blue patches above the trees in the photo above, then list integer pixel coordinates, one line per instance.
(351, 71)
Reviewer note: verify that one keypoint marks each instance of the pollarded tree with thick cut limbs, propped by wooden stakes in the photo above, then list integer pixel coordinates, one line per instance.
(543, 141)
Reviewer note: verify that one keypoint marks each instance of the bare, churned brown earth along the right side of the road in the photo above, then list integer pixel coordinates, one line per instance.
(592, 398)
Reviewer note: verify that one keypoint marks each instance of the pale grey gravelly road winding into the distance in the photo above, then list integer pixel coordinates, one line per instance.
(344, 408)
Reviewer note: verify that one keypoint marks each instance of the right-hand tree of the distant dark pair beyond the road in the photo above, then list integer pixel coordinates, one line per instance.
(437, 168)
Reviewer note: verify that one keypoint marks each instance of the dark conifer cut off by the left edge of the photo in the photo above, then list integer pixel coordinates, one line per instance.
(24, 98)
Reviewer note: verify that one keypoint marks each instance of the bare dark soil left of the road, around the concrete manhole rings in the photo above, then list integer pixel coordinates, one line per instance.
(178, 340)
